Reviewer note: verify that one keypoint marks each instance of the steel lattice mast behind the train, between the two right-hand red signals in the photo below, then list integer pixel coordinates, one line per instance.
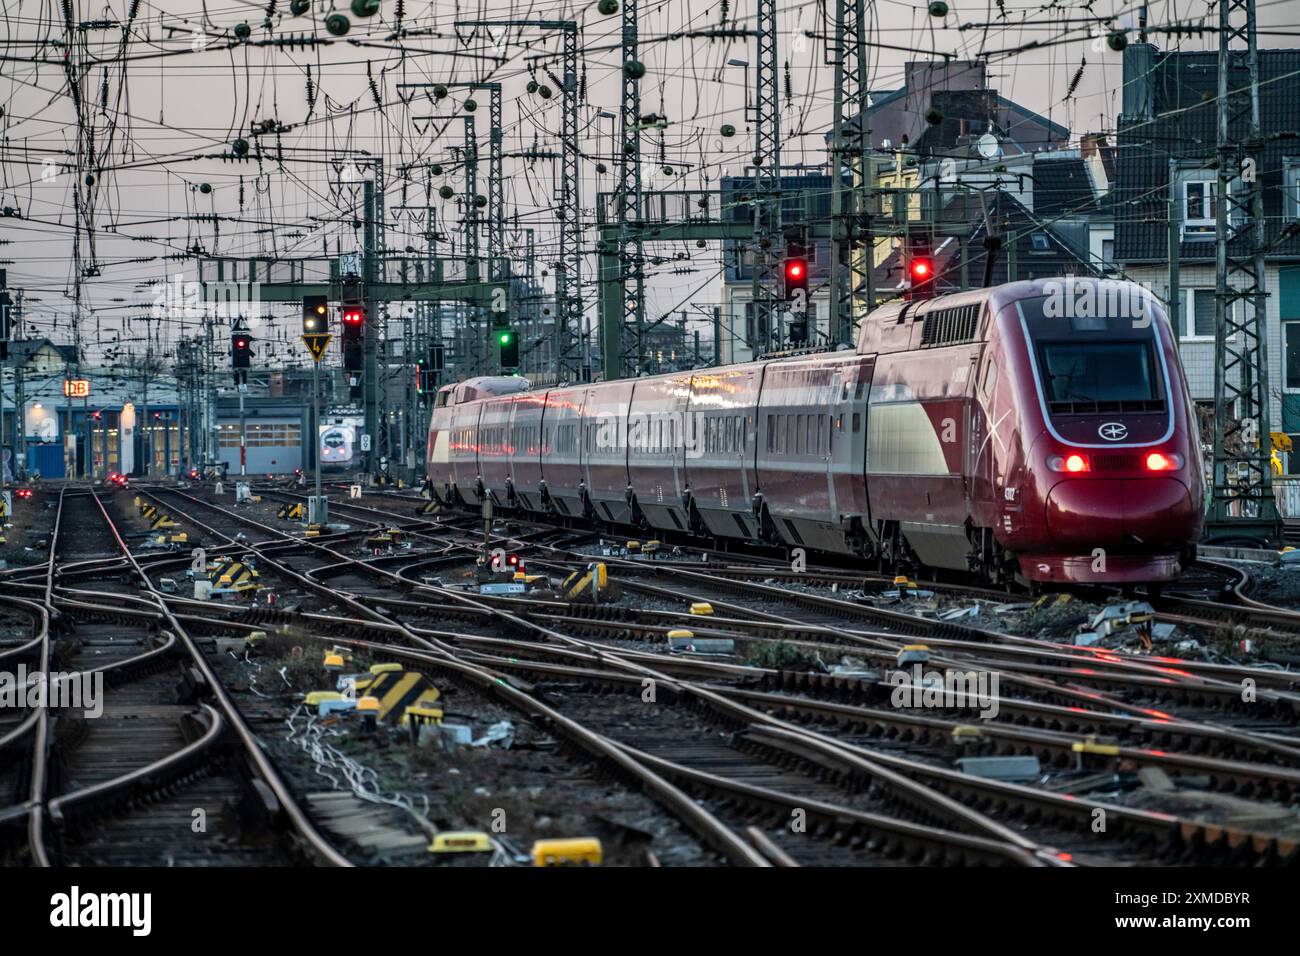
(852, 295)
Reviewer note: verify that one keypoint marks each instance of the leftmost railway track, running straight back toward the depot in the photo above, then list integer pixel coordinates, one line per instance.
(154, 764)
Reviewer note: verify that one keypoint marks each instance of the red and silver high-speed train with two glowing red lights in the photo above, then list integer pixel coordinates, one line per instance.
(1038, 432)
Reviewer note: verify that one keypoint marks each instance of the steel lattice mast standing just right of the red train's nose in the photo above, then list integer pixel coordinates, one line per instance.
(1242, 503)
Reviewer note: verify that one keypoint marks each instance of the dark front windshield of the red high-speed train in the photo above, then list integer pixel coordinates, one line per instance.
(1090, 373)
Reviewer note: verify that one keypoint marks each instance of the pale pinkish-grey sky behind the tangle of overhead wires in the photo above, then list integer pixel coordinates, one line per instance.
(164, 105)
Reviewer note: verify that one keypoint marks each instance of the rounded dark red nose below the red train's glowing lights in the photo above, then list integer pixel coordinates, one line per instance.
(1115, 513)
